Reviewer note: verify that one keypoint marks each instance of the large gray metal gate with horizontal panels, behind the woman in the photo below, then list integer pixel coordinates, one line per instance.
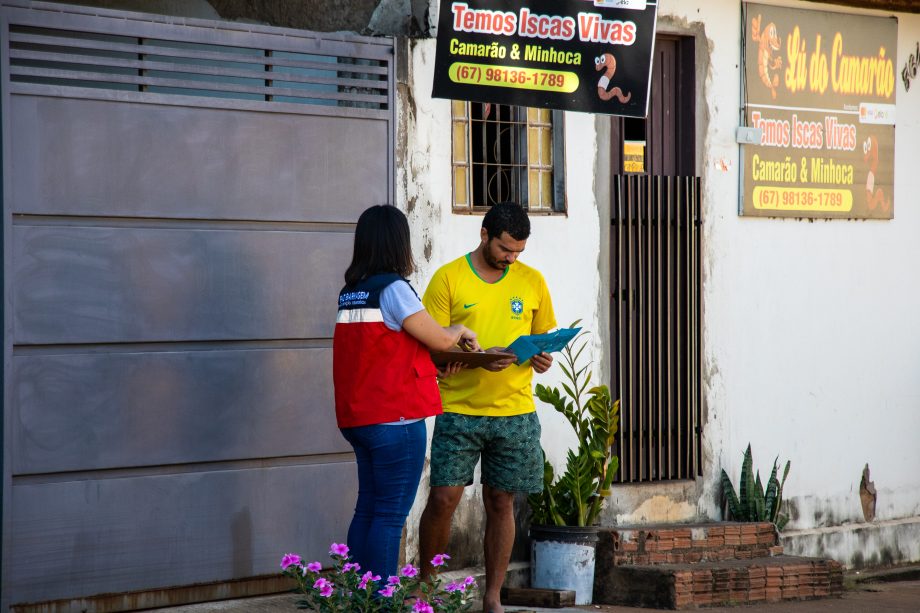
(178, 206)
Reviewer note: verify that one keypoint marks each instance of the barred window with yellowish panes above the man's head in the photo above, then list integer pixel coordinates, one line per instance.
(503, 152)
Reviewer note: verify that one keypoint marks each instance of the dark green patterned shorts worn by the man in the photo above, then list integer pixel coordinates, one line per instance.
(512, 459)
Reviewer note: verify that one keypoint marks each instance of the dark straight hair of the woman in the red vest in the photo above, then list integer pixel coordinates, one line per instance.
(382, 244)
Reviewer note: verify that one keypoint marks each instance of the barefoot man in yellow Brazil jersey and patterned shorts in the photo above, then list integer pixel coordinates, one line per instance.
(488, 414)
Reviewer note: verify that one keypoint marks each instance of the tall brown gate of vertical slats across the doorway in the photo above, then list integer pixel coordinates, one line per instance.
(656, 331)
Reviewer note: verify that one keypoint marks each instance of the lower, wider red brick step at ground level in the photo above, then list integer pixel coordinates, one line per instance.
(729, 582)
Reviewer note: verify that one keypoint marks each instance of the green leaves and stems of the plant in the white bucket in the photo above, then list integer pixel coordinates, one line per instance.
(575, 498)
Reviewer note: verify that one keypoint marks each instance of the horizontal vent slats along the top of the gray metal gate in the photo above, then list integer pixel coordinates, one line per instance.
(69, 58)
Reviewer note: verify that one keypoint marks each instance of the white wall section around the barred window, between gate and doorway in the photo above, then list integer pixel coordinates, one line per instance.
(565, 248)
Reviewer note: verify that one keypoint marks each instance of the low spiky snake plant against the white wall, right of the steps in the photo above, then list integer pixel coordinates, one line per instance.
(752, 503)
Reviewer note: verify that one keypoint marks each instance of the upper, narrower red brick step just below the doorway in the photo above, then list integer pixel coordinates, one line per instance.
(679, 543)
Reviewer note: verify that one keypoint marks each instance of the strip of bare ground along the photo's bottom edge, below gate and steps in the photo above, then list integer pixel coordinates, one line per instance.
(863, 597)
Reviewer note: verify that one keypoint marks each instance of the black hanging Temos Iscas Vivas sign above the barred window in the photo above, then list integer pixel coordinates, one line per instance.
(592, 56)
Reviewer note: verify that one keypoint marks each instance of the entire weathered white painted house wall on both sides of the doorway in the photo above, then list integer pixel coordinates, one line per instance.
(811, 339)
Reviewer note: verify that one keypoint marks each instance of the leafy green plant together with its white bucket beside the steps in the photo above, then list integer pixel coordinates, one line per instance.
(563, 532)
